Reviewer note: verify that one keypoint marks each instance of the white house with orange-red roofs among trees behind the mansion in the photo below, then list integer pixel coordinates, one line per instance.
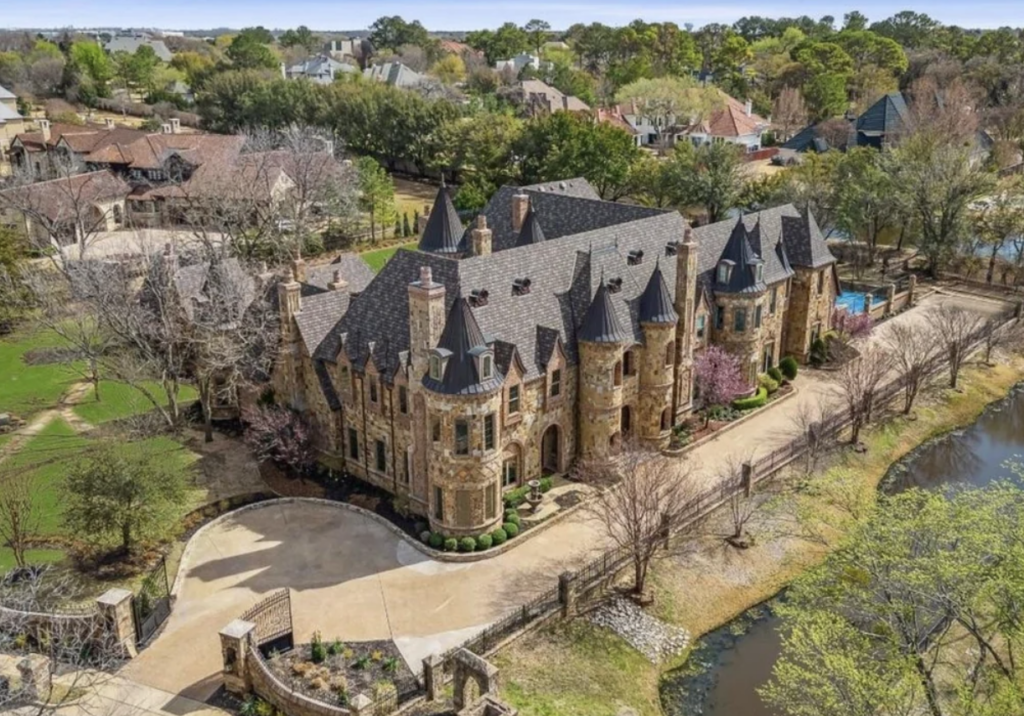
(733, 122)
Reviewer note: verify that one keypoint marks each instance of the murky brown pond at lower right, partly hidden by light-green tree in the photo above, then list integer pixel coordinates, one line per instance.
(738, 659)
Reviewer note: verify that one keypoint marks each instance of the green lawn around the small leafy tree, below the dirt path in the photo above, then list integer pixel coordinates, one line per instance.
(49, 457)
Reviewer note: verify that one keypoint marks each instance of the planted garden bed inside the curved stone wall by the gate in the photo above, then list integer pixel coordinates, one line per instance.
(342, 670)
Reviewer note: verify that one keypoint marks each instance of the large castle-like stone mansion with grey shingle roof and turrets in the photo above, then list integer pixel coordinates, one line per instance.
(552, 329)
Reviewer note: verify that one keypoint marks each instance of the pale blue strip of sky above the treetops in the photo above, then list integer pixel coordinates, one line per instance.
(468, 15)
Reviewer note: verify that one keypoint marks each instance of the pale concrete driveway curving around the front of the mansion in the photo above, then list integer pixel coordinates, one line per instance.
(354, 579)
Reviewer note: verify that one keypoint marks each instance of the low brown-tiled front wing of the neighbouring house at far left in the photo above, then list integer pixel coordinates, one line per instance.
(66, 212)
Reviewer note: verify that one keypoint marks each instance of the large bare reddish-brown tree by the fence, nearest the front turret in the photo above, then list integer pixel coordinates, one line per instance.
(652, 499)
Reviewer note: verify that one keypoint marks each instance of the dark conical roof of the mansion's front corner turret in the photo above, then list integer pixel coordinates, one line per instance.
(464, 341)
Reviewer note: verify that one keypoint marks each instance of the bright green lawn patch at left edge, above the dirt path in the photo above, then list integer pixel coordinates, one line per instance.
(26, 390)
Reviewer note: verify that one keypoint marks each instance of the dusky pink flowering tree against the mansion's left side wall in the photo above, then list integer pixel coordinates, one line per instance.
(281, 436)
